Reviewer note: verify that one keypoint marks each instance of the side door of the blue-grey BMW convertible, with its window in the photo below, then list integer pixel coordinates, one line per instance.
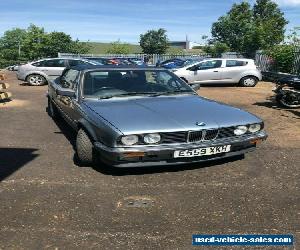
(69, 105)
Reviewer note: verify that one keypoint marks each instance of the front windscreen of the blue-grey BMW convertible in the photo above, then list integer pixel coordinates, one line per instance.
(122, 83)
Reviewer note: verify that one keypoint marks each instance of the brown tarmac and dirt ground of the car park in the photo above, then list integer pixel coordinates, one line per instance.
(49, 202)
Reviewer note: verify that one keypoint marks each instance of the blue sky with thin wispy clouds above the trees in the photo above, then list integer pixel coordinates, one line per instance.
(110, 20)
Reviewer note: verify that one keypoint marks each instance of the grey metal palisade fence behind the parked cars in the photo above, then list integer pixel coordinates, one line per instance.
(153, 58)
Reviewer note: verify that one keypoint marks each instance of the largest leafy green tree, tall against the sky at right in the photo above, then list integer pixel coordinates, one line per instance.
(246, 29)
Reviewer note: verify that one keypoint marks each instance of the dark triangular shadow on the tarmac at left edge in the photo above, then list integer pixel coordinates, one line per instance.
(12, 159)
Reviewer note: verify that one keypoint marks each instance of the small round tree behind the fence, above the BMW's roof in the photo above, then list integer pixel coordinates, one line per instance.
(154, 41)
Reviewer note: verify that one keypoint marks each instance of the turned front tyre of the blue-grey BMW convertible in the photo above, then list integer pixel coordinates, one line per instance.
(84, 148)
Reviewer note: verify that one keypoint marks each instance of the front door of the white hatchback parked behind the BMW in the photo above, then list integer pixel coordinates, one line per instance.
(207, 71)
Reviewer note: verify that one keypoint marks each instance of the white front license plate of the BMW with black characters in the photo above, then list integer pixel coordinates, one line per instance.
(202, 151)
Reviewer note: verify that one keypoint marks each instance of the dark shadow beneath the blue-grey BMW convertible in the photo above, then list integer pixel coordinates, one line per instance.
(102, 168)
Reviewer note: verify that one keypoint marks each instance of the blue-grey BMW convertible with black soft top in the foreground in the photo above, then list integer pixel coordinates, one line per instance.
(144, 116)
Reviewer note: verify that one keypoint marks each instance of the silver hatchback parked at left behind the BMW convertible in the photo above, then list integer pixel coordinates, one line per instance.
(40, 72)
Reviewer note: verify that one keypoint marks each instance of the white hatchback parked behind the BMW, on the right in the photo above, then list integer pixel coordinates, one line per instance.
(220, 70)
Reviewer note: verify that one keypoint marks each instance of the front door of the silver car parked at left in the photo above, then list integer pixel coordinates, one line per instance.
(53, 67)
